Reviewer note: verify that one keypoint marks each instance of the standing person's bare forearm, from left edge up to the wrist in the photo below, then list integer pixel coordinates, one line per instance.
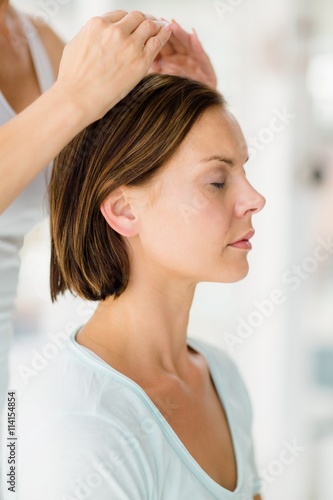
(32, 139)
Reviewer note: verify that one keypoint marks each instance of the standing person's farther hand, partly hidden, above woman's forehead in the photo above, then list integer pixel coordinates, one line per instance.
(183, 55)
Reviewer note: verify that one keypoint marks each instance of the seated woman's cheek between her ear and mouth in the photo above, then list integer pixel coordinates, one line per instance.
(184, 223)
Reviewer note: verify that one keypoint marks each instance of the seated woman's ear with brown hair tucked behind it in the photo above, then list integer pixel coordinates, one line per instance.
(117, 211)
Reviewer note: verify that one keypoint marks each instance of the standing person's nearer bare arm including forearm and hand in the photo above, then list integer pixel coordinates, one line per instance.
(103, 62)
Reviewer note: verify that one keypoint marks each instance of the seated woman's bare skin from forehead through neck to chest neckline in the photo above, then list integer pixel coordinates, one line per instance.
(142, 334)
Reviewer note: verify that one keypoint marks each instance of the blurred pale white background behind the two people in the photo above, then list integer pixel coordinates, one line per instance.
(274, 62)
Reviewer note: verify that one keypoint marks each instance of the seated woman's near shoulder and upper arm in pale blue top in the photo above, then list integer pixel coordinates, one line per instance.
(79, 432)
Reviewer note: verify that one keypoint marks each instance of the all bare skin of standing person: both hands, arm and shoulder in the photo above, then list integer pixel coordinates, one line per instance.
(126, 45)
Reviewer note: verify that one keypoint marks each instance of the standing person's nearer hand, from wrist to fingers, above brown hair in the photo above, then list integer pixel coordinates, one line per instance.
(107, 58)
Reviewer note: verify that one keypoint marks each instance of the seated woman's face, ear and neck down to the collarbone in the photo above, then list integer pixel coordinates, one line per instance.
(146, 327)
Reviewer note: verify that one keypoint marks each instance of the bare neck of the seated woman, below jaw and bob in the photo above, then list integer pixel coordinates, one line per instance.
(146, 326)
